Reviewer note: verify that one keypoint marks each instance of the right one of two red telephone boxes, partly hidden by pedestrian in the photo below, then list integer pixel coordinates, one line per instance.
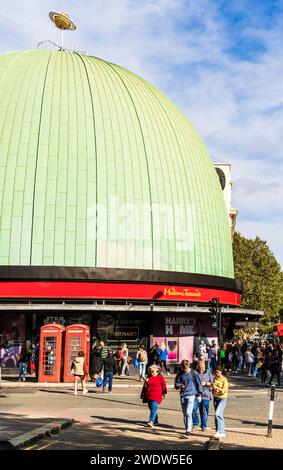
(77, 339)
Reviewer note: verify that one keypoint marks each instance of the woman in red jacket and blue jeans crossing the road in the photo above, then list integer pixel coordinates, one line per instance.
(154, 390)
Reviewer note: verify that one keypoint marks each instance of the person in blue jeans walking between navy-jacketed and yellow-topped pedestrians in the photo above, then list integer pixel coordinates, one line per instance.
(206, 379)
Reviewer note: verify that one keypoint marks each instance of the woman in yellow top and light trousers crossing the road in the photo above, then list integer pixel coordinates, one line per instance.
(220, 394)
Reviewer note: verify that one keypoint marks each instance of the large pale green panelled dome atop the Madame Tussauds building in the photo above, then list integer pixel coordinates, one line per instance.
(99, 169)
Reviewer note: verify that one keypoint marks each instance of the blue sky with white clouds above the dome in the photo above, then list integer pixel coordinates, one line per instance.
(220, 61)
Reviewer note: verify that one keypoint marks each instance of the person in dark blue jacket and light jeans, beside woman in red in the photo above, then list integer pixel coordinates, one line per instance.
(189, 384)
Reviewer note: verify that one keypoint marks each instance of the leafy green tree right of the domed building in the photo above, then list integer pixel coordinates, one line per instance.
(262, 277)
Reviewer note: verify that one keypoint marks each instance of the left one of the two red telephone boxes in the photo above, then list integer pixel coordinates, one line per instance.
(50, 353)
